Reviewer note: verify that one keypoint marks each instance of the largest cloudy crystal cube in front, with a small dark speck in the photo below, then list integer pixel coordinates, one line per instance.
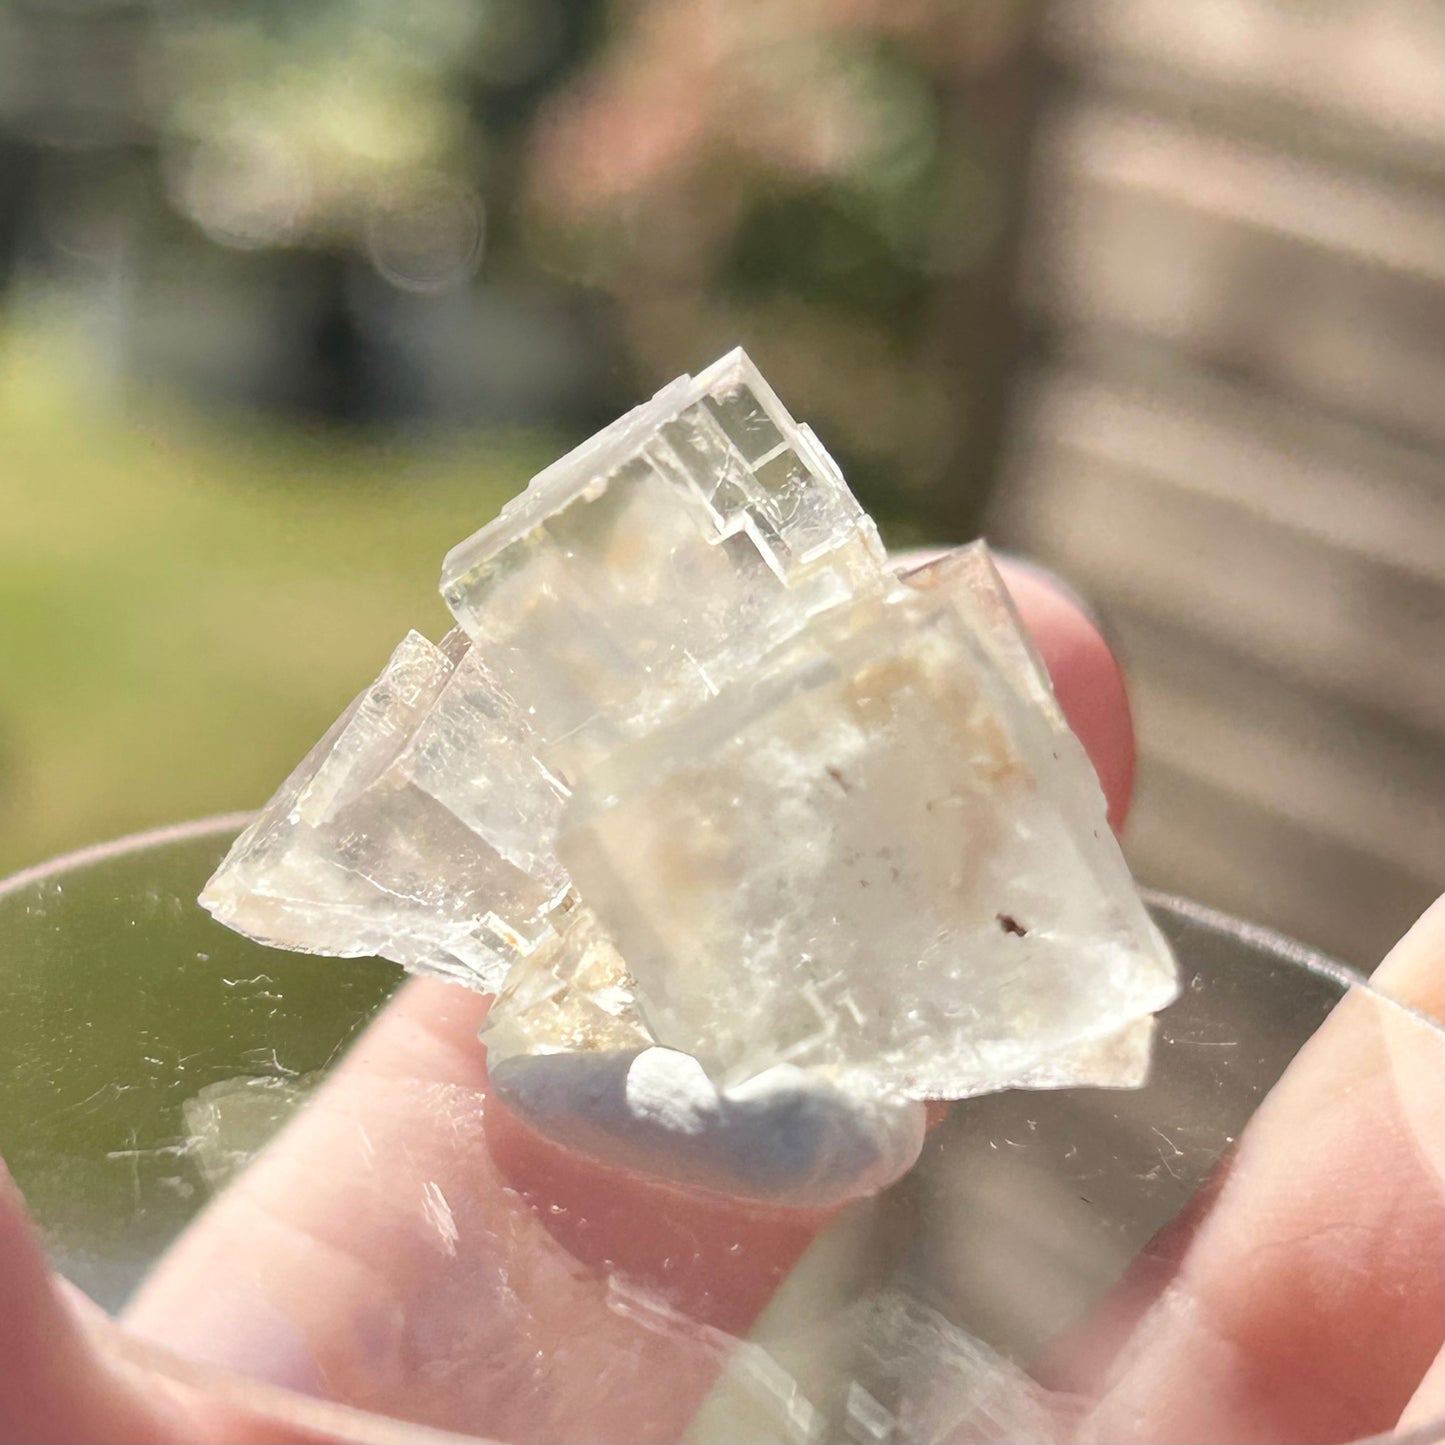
(875, 862)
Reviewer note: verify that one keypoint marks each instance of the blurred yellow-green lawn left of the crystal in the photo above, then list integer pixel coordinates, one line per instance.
(187, 602)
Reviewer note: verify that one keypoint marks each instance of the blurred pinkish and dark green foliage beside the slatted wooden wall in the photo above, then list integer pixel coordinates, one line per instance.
(833, 183)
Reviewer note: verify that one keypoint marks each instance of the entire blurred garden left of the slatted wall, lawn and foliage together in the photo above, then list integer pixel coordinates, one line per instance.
(423, 222)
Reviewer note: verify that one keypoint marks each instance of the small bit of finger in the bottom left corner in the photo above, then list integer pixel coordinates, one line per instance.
(54, 1384)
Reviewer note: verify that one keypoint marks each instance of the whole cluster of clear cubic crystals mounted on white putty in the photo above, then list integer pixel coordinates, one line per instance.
(699, 771)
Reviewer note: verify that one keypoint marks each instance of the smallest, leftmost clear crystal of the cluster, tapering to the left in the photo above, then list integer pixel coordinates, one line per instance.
(398, 834)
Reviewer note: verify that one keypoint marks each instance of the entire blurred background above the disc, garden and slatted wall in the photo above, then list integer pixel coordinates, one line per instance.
(293, 297)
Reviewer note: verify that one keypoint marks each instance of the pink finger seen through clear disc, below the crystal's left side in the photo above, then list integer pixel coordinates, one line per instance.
(395, 1252)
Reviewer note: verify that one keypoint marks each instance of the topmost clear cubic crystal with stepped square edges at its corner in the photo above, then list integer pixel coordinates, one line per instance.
(652, 567)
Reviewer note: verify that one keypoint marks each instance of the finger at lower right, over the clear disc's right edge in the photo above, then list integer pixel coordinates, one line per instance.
(1307, 1298)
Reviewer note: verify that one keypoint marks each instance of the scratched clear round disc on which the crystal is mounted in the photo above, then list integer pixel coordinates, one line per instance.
(152, 1054)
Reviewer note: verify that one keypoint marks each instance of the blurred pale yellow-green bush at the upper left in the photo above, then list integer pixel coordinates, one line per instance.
(339, 124)
